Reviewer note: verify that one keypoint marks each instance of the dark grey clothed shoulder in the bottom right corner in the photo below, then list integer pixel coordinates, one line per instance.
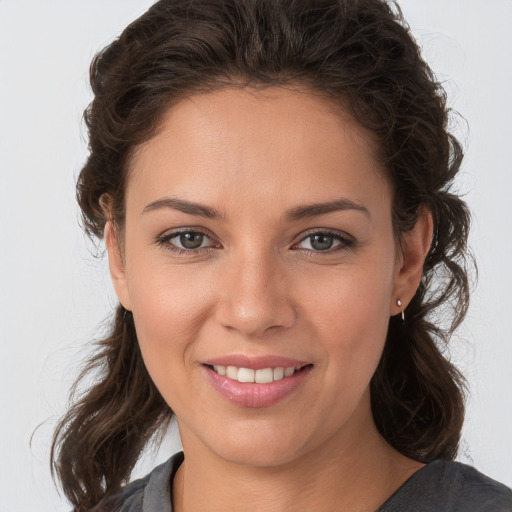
(451, 487)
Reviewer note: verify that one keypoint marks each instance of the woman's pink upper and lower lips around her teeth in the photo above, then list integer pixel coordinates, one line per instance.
(253, 395)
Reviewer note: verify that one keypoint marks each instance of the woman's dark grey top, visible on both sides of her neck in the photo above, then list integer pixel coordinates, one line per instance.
(441, 486)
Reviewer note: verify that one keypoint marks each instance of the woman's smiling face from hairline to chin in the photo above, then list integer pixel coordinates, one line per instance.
(258, 236)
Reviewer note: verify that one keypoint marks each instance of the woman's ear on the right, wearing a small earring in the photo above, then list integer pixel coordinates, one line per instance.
(414, 249)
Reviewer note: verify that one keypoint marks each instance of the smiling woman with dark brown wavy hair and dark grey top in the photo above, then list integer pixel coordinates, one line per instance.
(273, 183)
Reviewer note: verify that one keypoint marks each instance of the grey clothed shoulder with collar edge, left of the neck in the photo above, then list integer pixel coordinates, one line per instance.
(152, 493)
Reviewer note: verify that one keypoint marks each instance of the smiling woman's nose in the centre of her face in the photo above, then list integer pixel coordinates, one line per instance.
(255, 296)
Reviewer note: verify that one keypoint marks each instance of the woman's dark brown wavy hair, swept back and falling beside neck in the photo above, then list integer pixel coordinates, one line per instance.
(359, 54)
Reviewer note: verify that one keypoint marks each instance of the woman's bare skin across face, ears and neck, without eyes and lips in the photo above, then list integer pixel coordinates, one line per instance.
(257, 286)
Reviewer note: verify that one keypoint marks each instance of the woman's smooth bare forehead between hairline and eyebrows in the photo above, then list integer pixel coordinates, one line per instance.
(289, 144)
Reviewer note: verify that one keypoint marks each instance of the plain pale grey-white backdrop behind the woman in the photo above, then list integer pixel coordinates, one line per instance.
(54, 293)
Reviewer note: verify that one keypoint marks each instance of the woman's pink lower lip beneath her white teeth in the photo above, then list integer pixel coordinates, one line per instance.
(249, 394)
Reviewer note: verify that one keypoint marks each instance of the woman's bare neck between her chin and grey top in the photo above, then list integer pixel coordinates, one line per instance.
(355, 472)
